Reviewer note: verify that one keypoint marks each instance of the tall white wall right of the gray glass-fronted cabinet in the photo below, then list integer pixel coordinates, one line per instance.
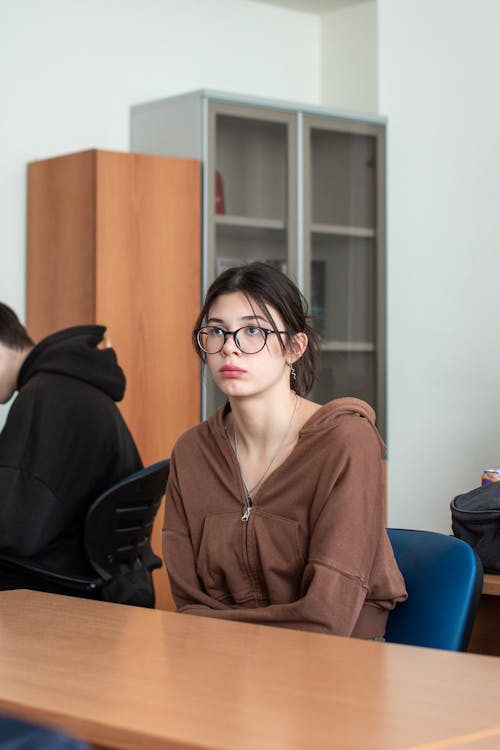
(438, 85)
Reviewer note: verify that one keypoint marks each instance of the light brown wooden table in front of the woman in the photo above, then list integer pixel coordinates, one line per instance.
(127, 677)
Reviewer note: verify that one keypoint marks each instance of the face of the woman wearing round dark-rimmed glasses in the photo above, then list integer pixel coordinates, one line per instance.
(236, 373)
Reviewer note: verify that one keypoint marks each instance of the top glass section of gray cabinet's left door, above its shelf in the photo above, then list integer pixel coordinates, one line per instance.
(251, 159)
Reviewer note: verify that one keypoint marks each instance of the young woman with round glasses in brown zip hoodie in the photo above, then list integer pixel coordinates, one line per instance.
(274, 509)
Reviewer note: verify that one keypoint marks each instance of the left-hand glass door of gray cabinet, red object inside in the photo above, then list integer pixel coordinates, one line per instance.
(251, 194)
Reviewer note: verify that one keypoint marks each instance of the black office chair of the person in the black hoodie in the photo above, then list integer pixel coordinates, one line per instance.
(117, 539)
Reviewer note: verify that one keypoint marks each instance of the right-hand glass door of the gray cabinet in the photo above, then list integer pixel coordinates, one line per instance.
(344, 256)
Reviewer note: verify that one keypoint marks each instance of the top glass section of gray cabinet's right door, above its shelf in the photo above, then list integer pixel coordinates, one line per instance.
(343, 178)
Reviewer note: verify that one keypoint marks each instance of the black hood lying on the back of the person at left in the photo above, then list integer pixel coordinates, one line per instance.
(73, 352)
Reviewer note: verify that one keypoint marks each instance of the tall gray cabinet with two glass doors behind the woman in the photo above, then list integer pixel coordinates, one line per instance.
(302, 188)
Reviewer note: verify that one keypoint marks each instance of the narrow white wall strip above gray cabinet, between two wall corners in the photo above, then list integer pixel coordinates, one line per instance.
(349, 58)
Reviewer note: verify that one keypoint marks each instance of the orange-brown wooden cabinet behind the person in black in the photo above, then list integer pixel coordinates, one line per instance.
(114, 239)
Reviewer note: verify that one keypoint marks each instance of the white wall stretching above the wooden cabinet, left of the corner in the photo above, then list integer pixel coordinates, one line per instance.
(70, 69)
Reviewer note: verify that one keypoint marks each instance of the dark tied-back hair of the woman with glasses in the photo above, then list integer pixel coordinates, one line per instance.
(266, 286)
